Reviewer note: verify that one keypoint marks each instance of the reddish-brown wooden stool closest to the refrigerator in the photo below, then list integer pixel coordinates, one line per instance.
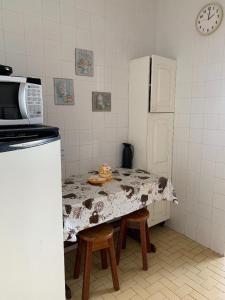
(90, 240)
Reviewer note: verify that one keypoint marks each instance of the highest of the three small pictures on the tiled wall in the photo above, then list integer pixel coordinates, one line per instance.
(84, 62)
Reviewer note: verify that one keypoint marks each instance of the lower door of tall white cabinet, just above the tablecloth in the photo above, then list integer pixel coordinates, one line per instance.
(160, 143)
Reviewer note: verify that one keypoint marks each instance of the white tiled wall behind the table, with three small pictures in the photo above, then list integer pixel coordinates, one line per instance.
(38, 38)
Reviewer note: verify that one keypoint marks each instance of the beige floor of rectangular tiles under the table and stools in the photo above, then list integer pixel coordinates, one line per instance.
(181, 269)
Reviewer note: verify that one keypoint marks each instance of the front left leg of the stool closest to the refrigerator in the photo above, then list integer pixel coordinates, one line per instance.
(87, 271)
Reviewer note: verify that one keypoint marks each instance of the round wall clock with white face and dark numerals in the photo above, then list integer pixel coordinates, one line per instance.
(209, 18)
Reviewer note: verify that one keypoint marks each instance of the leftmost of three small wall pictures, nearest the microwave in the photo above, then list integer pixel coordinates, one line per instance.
(63, 91)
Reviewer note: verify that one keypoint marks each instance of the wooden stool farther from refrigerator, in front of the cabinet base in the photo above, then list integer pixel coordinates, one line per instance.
(139, 217)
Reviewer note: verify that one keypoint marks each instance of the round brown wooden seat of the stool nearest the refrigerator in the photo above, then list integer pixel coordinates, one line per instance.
(97, 234)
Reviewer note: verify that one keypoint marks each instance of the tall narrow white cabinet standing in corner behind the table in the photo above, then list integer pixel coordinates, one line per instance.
(151, 107)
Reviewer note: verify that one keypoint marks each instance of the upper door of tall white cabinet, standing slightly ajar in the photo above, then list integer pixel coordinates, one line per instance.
(163, 81)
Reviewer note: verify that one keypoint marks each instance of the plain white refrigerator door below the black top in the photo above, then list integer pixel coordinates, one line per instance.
(31, 226)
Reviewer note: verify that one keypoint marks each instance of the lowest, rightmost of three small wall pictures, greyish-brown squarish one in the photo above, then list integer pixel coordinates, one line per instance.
(101, 101)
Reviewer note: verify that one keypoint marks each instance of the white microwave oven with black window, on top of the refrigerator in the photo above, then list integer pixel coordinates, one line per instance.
(21, 101)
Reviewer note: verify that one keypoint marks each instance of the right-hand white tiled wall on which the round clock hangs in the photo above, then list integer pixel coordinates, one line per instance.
(199, 141)
